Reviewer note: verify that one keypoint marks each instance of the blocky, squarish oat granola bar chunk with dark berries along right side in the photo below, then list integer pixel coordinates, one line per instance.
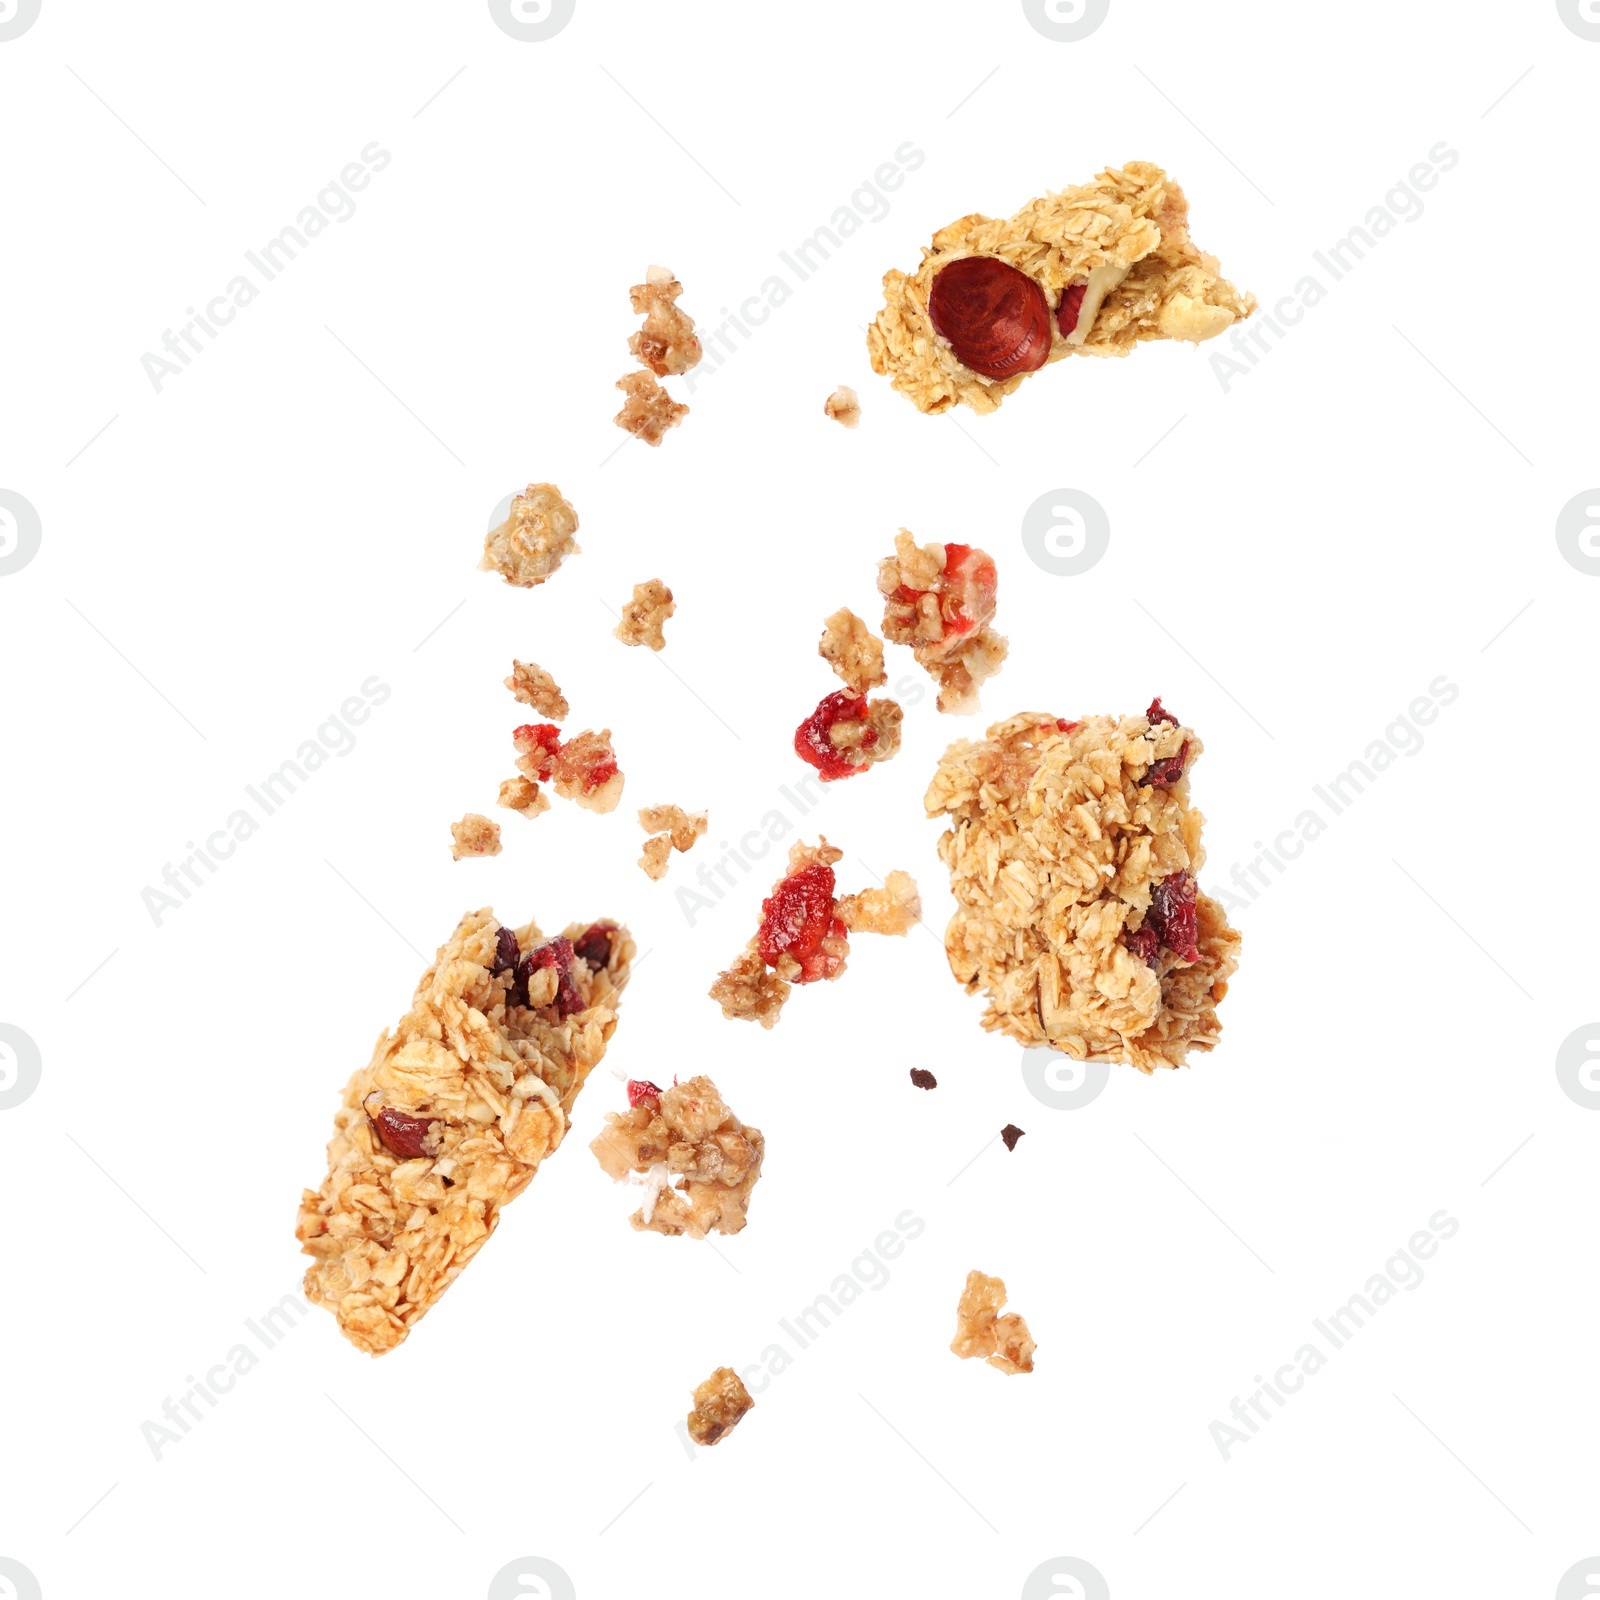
(1074, 876)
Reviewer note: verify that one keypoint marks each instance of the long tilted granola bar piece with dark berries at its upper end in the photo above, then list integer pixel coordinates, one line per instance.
(450, 1119)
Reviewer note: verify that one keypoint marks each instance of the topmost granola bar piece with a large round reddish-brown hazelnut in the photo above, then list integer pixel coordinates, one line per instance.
(1090, 271)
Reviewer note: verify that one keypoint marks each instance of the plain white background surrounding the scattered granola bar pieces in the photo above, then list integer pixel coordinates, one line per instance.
(1292, 564)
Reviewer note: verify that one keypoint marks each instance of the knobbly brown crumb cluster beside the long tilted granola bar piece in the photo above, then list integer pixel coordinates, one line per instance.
(698, 1161)
